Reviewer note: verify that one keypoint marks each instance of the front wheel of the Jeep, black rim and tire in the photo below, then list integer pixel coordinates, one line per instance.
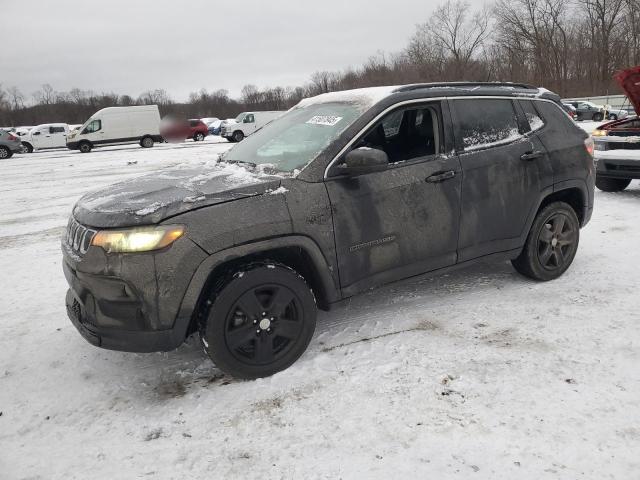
(248, 336)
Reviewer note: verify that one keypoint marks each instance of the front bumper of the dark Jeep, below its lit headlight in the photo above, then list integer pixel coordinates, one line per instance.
(130, 302)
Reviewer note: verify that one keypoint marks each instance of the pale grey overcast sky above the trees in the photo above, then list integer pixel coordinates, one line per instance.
(135, 45)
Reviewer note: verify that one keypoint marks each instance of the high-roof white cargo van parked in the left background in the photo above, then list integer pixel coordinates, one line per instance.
(118, 125)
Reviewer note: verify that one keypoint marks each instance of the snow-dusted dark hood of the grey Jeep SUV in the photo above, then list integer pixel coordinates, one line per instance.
(152, 198)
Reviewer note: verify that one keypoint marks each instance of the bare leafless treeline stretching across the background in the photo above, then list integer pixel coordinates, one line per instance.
(572, 48)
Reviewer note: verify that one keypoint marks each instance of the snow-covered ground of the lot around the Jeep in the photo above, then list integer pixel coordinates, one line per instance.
(477, 374)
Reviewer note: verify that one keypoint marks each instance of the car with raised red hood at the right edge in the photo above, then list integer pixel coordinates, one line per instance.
(617, 144)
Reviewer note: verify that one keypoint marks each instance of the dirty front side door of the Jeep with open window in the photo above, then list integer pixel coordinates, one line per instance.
(402, 221)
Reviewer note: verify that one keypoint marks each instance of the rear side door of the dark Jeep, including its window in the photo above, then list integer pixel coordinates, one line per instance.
(503, 173)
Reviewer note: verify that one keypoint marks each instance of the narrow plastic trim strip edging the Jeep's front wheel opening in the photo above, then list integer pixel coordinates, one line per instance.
(200, 277)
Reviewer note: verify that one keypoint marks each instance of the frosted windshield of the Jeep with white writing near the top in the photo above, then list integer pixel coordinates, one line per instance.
(296, 138)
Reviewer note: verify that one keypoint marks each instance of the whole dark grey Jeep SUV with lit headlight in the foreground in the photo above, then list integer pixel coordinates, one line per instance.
(345, 192)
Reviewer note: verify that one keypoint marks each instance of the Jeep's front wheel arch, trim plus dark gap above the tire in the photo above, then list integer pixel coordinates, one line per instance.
(297, 252)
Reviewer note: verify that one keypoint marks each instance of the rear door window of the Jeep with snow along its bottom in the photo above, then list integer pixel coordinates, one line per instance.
(485, 122)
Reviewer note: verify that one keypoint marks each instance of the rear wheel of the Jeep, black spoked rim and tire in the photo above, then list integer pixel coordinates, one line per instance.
(551, 245)
